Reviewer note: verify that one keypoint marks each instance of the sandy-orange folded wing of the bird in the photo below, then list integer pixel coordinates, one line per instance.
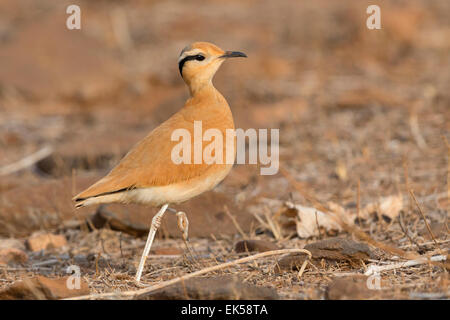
(149, 162)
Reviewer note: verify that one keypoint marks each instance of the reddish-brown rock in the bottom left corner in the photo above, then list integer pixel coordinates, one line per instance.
(43, 288)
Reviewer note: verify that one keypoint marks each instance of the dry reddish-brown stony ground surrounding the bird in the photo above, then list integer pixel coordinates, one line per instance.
(351, 104)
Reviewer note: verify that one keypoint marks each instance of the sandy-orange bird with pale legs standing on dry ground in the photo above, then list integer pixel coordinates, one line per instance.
(147, 174)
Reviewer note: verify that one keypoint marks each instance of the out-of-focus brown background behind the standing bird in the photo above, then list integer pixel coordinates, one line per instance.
(351, 103)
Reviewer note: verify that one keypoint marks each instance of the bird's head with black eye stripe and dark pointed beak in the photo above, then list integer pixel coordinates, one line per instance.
(199, 62)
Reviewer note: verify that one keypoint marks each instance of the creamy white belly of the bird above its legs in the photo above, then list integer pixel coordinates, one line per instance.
(178, 192)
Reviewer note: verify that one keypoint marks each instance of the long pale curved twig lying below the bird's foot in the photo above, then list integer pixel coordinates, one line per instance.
(136, 293)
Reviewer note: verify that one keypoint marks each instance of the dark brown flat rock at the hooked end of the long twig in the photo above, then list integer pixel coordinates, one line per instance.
(329, 250)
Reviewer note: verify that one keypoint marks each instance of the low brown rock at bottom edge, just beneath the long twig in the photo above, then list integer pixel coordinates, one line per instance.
(215, 288)
